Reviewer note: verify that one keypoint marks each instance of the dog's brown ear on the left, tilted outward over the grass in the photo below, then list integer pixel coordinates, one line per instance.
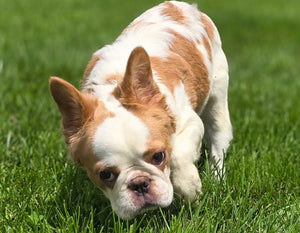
(76, 108)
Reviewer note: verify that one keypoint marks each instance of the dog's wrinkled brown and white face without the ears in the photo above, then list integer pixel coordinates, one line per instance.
(130, 163)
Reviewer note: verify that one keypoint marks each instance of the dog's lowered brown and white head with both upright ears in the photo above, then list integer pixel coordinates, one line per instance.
(124, 142)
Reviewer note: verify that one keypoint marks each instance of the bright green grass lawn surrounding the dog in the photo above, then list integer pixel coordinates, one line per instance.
(42, 191)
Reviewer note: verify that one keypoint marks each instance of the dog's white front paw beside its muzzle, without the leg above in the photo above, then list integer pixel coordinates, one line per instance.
(186, 182)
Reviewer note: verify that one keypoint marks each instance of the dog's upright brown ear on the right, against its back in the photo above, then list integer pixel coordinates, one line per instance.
(138, 84)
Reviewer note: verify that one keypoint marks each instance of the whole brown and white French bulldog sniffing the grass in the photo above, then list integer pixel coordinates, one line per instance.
(146, 100)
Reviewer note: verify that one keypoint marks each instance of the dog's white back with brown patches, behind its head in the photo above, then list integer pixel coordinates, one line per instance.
(181, 42)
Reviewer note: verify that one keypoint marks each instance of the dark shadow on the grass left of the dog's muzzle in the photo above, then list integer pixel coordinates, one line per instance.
(78, 203)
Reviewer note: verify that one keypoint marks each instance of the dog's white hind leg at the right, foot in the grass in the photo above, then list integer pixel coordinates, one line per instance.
(215, 116)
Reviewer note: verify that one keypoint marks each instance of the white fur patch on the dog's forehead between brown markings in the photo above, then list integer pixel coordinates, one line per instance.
(120, 138)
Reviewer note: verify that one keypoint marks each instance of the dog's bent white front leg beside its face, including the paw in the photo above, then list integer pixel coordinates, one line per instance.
(186, 151)
